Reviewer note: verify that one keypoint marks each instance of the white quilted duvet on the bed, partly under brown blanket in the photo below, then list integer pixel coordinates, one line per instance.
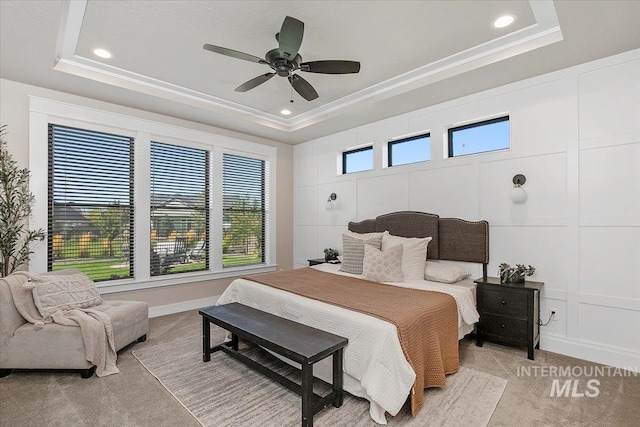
(374, 364)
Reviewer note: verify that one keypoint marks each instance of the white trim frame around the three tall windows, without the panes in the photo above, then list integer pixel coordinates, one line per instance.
(44, 111)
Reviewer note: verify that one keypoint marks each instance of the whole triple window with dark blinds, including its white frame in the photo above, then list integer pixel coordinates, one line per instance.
(195, 192)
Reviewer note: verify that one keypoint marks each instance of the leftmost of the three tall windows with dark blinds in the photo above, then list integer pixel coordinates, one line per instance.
(90, 221)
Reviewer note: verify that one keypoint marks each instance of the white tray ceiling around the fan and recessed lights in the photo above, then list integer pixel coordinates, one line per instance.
(413, 54)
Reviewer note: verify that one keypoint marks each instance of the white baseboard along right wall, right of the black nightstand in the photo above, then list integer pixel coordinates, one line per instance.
(611, 356)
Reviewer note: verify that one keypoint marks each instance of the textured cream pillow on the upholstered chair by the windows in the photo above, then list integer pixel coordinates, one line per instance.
(57, 292)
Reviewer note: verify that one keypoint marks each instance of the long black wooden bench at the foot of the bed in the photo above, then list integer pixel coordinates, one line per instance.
(299, 343)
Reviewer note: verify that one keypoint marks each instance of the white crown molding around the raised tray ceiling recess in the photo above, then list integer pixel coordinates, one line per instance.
(545, 31)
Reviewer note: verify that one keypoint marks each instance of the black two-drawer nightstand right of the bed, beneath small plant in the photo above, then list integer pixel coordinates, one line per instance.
(509, 313)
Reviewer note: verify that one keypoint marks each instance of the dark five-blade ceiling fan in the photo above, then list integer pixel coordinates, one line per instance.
(284, 60)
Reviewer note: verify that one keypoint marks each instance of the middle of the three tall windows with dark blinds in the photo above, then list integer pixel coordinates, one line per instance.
(179, 209)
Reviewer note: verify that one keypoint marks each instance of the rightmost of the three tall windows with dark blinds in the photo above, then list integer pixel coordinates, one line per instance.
(244, 213)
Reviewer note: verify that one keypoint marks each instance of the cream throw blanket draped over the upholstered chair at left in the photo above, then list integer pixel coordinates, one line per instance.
(95, 326)
